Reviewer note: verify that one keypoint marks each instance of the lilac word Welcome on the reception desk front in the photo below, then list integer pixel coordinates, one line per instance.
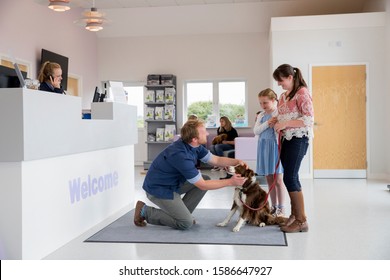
(79, 189)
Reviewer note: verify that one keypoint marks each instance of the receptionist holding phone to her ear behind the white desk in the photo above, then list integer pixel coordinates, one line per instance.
(50, 77)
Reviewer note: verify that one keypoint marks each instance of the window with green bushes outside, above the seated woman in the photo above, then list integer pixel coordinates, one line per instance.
(210, 100)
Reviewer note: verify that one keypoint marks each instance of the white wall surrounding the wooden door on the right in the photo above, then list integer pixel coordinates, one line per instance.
(312, 40)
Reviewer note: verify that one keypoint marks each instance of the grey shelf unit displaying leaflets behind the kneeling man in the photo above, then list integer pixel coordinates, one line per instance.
(165, 85)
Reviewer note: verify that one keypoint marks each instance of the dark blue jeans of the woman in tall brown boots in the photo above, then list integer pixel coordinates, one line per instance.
(291, 157)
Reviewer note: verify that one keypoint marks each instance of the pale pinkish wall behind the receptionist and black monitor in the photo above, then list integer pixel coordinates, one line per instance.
(26, 28)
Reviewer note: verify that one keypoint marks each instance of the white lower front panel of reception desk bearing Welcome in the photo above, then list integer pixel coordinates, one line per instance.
(65, 196)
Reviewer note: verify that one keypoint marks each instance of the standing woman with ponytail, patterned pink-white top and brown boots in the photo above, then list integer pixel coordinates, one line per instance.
(295, 122)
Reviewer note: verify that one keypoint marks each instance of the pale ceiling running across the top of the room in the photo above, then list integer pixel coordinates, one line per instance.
(174, 17)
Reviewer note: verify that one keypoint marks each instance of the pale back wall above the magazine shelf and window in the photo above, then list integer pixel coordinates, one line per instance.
(194, 57)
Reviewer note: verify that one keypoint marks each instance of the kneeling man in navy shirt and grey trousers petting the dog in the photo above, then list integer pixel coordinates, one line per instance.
(174, 183)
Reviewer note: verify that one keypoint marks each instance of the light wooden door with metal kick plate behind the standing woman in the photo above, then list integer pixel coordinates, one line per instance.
(339, 99)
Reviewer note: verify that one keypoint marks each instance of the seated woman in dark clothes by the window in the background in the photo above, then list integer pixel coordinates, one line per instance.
(227, 142)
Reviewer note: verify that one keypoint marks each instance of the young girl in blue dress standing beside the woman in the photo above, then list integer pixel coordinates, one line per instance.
(267, 149)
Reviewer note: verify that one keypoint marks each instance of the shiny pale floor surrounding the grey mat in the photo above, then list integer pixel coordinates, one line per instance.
(348, 218)
